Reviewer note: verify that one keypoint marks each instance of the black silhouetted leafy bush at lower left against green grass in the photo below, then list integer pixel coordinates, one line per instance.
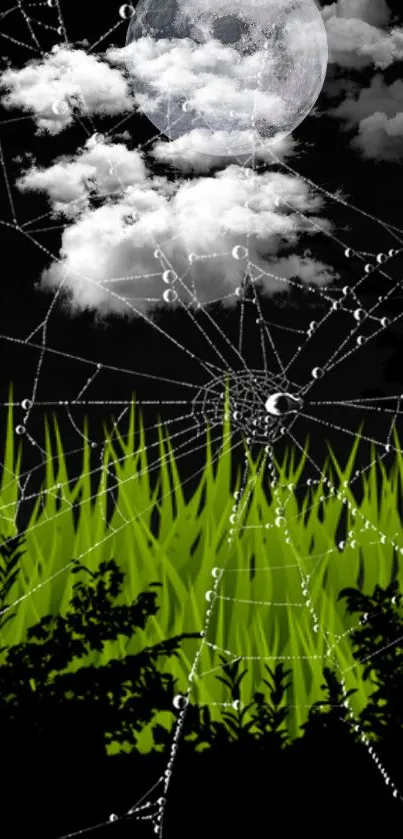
(107, 703)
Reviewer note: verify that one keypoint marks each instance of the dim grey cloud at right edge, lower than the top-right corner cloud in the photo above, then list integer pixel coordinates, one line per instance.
(377, 111)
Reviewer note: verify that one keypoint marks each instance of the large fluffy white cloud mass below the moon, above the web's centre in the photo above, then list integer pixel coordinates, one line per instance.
(115, 256)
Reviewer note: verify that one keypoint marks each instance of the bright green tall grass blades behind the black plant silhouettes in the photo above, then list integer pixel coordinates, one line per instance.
(192, 540)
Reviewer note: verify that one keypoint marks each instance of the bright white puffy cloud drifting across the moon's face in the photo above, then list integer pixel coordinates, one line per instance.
(210, 77)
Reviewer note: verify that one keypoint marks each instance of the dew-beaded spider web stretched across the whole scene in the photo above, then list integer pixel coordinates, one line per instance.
(276, 392)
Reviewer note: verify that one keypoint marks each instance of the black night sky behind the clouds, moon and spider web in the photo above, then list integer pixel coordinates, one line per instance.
(329, 159)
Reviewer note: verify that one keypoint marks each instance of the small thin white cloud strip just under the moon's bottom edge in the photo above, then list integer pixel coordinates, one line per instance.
(192, 151)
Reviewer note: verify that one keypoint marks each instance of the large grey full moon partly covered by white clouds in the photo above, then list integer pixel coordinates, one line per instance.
(245, 71)
